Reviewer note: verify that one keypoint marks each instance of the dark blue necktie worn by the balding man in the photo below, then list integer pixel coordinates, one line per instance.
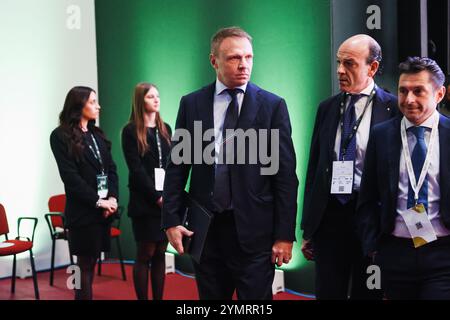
(347, 128)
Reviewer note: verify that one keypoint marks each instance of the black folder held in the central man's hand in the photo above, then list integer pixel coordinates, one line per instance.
(198, 219)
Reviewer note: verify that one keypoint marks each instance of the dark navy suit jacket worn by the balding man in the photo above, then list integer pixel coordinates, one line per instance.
(321, 156)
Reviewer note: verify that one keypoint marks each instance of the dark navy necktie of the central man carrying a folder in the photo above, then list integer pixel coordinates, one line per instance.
(222, 184)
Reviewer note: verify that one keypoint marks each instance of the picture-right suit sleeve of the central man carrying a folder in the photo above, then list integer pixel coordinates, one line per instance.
(285, 181)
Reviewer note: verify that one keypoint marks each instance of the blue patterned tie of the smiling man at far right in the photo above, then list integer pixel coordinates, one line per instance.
(418, 158)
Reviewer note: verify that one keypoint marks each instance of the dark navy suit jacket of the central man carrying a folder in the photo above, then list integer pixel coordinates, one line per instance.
(265, 207)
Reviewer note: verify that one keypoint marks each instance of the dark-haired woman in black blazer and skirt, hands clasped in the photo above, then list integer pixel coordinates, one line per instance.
(83, 156)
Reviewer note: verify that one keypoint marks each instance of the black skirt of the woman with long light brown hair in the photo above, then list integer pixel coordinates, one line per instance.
(148, 229)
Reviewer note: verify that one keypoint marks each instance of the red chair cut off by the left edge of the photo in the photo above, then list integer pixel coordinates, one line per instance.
(14, 247)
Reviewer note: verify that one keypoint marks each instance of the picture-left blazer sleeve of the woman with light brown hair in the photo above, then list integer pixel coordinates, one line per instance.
(143, 183)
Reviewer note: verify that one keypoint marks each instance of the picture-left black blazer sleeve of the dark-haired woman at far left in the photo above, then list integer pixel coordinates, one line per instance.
(69, 172)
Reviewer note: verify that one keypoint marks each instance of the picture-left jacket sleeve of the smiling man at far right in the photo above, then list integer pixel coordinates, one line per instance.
(368, 207)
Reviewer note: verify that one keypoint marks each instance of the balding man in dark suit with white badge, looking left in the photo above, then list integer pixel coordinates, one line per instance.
(341, 131)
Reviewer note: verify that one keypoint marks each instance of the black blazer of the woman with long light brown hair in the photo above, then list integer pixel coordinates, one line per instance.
(141, 172)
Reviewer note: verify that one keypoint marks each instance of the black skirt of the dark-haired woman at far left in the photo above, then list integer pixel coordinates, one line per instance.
(90, 240)
